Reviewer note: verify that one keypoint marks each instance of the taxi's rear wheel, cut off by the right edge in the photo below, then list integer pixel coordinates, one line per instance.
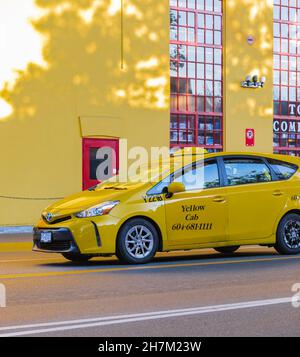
(288, 235)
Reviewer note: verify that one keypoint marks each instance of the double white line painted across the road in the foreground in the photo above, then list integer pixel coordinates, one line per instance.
(68, 325)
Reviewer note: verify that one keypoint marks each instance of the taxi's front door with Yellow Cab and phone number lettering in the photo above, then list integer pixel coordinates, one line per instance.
(199, 214)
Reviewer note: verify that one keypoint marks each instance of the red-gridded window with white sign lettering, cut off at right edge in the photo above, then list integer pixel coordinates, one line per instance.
(287, 77)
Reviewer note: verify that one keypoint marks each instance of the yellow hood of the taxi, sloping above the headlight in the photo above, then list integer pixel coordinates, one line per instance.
(92, 197)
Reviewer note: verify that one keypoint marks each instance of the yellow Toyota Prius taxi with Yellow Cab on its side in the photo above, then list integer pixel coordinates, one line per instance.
(220, 201)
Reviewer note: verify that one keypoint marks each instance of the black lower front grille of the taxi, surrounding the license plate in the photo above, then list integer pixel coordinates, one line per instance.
(62, 241)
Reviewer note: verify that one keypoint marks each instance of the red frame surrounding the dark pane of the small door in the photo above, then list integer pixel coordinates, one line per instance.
(87, 144)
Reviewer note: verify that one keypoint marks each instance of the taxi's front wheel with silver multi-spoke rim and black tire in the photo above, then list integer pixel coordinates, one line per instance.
(137, 242)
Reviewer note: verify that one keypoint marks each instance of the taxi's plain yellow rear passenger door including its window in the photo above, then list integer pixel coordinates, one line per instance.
(254, 200)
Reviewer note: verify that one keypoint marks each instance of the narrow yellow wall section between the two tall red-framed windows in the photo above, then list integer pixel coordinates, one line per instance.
(248, 108)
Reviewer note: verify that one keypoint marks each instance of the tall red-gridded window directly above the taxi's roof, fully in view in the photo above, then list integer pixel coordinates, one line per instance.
(196, 73)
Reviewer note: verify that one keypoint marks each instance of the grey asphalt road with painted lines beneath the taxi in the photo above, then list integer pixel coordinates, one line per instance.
(197, 293)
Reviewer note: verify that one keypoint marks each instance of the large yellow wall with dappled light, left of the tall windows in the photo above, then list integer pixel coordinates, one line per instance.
(104, 78)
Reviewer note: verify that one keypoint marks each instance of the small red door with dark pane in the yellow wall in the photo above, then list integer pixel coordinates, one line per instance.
(100, 160)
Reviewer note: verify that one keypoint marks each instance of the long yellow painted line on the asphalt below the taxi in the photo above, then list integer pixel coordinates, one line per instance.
(141, 267)
